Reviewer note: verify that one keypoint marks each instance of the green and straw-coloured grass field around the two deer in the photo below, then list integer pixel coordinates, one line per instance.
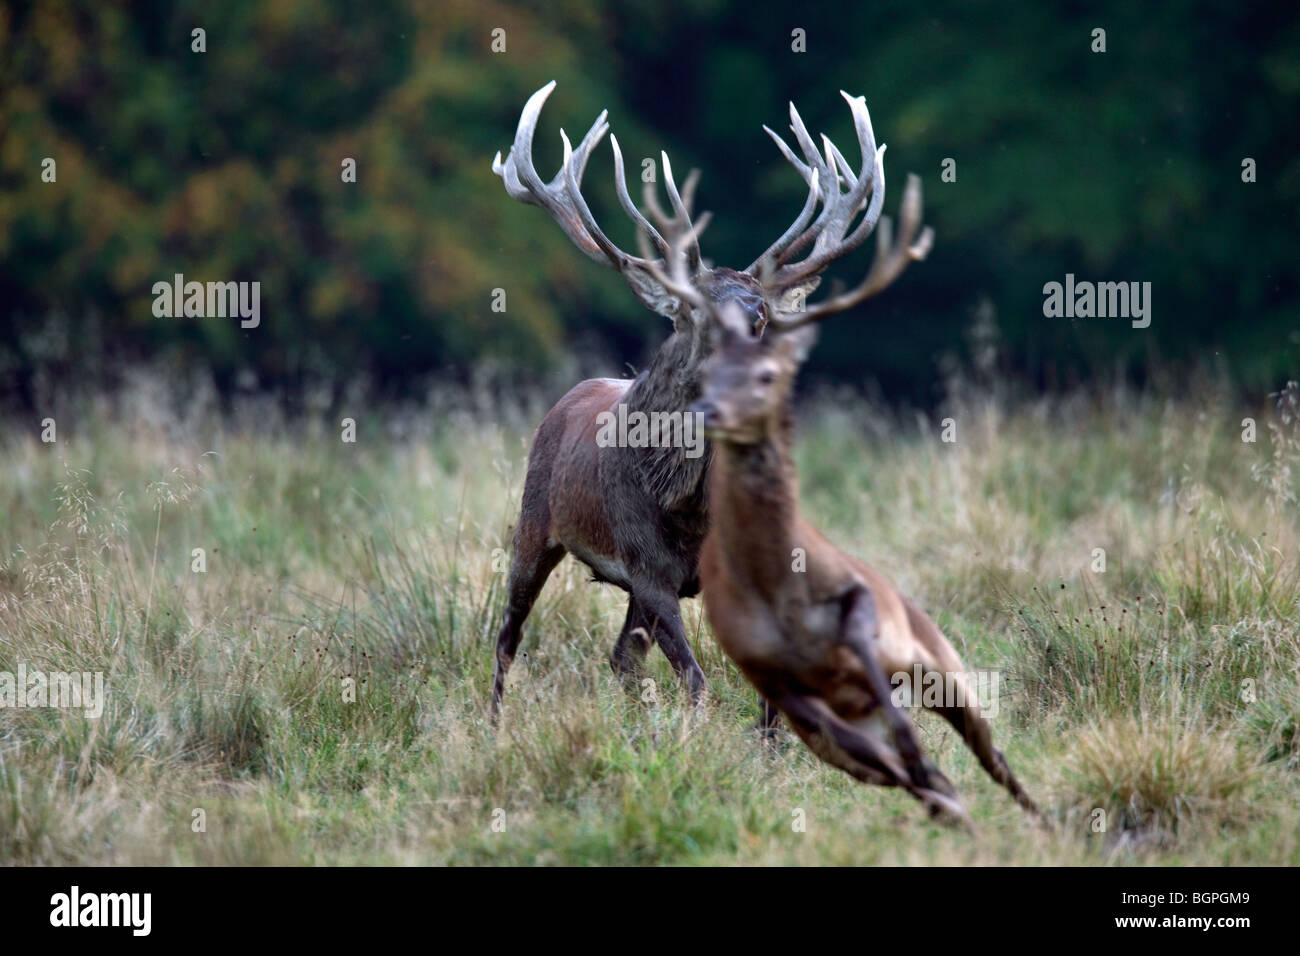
(1163, 691)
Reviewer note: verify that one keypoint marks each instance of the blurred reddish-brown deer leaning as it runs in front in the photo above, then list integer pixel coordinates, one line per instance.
(817, 631)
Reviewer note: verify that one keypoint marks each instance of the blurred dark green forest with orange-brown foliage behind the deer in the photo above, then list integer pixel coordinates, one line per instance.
(1124, 166)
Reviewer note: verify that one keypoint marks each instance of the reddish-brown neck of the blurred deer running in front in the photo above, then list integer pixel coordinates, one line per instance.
(753, 505)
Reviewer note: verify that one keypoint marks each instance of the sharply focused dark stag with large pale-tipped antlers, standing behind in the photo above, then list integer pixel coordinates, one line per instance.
(636, 516)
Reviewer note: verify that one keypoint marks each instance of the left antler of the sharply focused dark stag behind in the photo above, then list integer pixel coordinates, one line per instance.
(564, 200)
